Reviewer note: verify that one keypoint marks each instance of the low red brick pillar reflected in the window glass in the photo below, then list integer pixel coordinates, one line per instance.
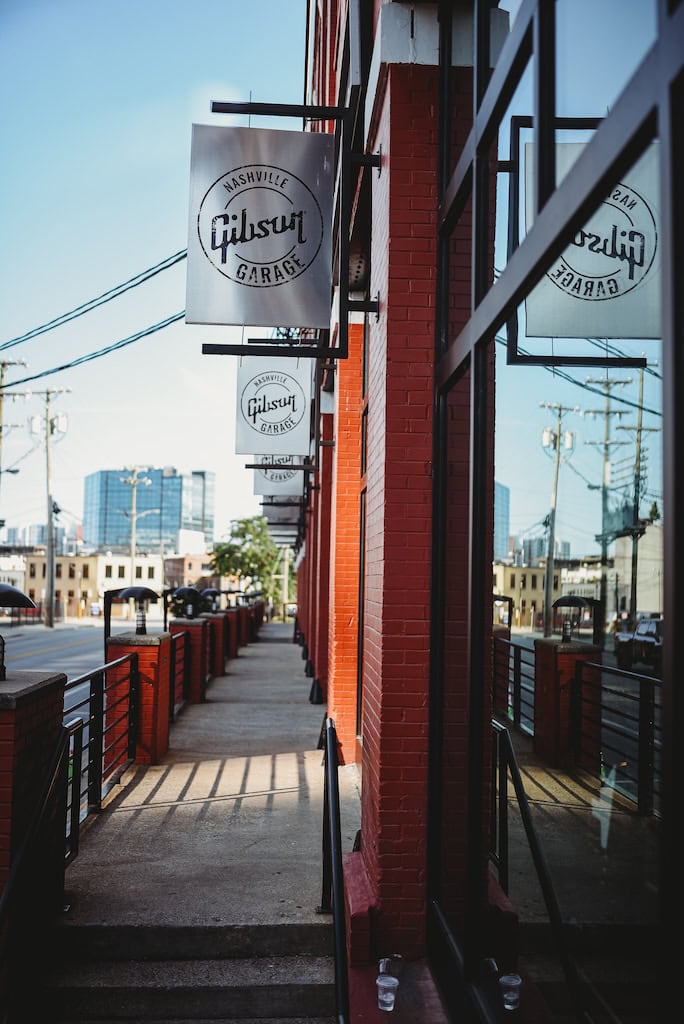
(554, 674)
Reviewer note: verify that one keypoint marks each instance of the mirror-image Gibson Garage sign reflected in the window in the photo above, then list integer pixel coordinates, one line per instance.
(607, 283)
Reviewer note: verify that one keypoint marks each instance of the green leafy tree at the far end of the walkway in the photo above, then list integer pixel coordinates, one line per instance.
(251, 556)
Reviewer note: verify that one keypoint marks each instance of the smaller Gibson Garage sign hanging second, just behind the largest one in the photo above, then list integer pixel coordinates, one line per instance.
(274, 406)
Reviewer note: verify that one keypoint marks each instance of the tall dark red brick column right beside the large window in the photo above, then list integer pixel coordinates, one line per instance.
(397, 634)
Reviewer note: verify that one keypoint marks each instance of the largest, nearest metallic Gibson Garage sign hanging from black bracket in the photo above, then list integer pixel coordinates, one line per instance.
(260, 248)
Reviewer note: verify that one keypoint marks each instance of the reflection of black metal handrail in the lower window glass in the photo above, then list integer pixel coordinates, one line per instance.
(504, 765)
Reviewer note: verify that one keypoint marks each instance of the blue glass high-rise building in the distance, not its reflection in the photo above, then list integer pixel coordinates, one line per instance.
(162, 502)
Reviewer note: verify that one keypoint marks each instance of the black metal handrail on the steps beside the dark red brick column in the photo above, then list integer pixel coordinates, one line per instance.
(332, 900)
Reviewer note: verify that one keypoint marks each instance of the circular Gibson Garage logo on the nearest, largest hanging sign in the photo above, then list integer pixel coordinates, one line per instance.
(261, 226)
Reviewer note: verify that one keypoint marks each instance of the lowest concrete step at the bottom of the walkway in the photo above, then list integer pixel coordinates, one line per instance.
(259, 989)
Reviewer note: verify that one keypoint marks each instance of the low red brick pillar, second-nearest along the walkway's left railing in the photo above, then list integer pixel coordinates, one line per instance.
(154, 654)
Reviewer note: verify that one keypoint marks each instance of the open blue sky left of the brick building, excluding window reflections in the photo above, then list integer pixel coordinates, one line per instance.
(99, 103)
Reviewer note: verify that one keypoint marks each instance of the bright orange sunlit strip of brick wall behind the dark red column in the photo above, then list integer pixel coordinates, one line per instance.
(345, 556)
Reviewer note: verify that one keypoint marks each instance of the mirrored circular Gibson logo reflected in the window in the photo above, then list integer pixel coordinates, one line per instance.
(614, 253)
